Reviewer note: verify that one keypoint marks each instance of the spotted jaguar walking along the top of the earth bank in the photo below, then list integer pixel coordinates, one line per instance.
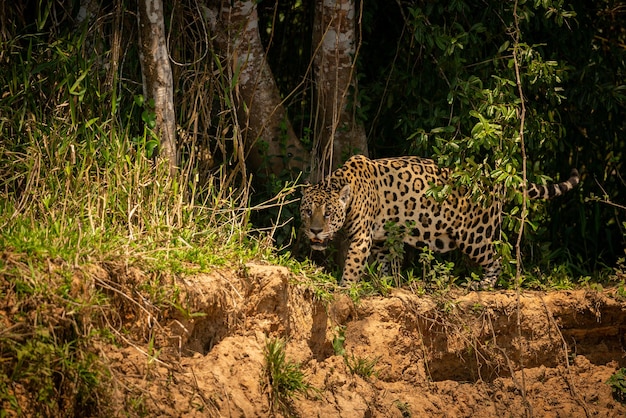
(365, 195)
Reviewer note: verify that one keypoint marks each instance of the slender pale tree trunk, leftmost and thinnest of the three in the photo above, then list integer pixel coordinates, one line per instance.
(157, 75)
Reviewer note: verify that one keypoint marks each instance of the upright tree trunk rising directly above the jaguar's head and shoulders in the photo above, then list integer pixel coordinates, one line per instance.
(338, 134)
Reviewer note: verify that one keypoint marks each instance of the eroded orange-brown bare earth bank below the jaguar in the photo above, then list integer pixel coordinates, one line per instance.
(477, 354)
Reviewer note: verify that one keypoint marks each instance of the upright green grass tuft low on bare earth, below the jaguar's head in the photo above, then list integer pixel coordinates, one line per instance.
(284, 379)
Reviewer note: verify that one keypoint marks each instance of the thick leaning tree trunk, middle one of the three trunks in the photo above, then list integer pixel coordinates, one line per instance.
(270, 142)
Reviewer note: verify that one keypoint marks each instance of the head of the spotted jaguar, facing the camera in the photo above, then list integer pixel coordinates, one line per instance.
(323, 209)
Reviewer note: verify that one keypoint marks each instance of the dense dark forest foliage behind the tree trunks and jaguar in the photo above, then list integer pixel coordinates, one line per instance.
(436, 79)
